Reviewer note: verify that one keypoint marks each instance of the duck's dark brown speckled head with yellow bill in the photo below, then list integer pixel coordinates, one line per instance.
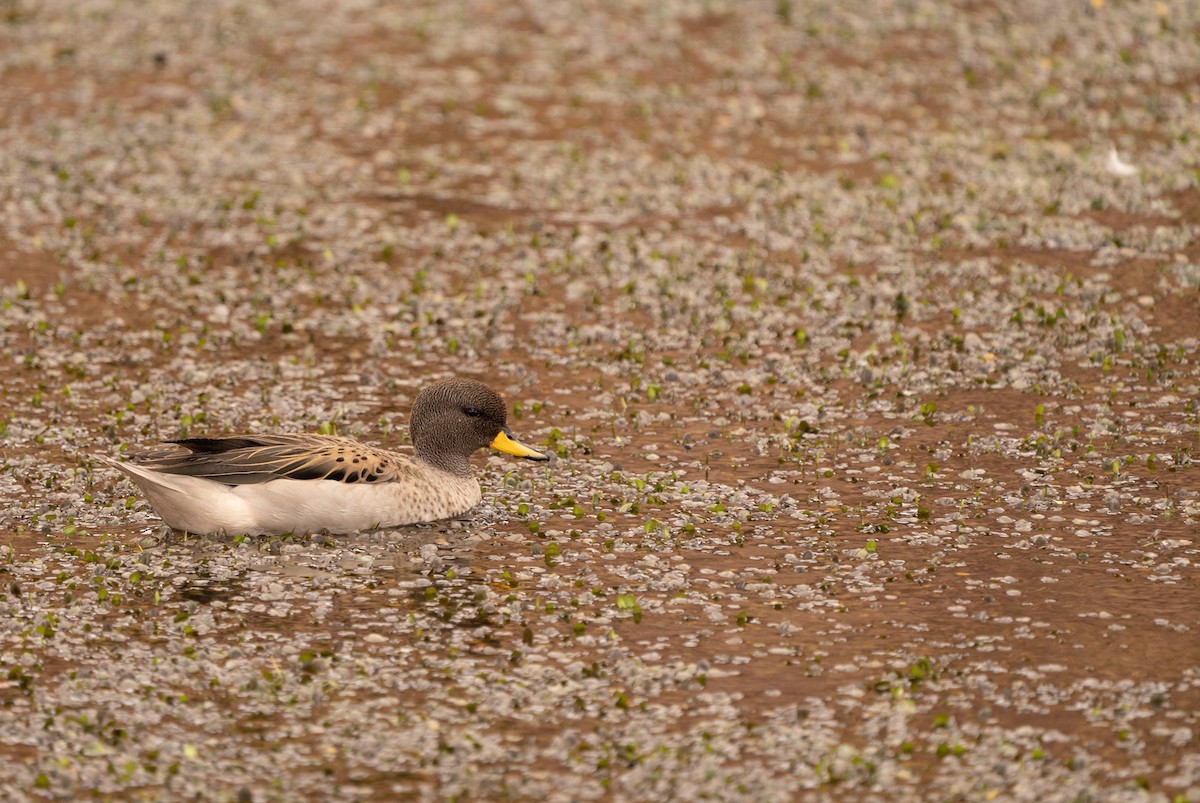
(454, 418)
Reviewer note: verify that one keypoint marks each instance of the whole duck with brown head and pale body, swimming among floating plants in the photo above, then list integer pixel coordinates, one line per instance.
(275, 484)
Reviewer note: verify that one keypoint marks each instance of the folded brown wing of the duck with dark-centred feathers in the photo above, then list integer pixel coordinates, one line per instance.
(245, 460)
